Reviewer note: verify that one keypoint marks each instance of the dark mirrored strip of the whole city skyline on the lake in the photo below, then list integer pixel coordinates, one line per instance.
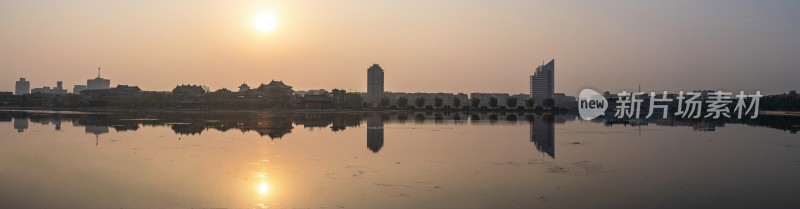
(276, 125)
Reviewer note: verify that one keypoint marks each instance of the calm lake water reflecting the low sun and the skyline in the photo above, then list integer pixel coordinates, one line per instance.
(392, 160)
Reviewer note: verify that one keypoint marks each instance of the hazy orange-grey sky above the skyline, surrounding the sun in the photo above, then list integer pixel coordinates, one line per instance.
(428, 46)
